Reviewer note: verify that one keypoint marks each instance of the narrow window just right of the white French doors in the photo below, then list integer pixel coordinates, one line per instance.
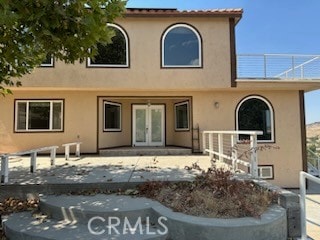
(181, 116)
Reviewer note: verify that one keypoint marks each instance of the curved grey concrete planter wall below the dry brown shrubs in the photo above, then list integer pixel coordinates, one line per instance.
(271, 225)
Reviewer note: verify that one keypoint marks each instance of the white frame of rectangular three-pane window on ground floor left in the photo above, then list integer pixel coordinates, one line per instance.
(27, 116)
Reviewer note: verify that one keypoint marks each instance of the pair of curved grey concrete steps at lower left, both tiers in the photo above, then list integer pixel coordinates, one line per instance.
(86, 217)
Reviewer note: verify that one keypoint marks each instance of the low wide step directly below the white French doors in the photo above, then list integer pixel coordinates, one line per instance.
(145, 151)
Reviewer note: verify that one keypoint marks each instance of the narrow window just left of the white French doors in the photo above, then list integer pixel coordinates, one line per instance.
(112, 117)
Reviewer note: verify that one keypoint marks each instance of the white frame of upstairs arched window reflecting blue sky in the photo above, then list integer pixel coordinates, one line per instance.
(199, 41)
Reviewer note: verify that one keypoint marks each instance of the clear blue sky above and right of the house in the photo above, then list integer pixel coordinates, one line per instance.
(267, 26)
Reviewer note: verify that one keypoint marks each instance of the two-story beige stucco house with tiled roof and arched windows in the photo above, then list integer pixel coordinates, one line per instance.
(166, 72)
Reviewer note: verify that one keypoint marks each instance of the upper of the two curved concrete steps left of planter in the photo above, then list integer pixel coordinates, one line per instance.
(77, 208)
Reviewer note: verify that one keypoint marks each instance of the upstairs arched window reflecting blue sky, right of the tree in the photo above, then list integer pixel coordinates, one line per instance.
(181, 47)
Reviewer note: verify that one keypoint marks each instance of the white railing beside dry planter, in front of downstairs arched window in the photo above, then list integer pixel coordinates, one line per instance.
(226, 146)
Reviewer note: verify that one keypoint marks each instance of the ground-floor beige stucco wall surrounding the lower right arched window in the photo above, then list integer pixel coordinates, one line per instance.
(288, 159)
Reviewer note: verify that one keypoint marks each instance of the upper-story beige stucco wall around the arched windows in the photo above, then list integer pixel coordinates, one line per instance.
(145, 70)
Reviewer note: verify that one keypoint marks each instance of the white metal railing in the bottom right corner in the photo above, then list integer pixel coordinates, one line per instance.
(303, 220)
